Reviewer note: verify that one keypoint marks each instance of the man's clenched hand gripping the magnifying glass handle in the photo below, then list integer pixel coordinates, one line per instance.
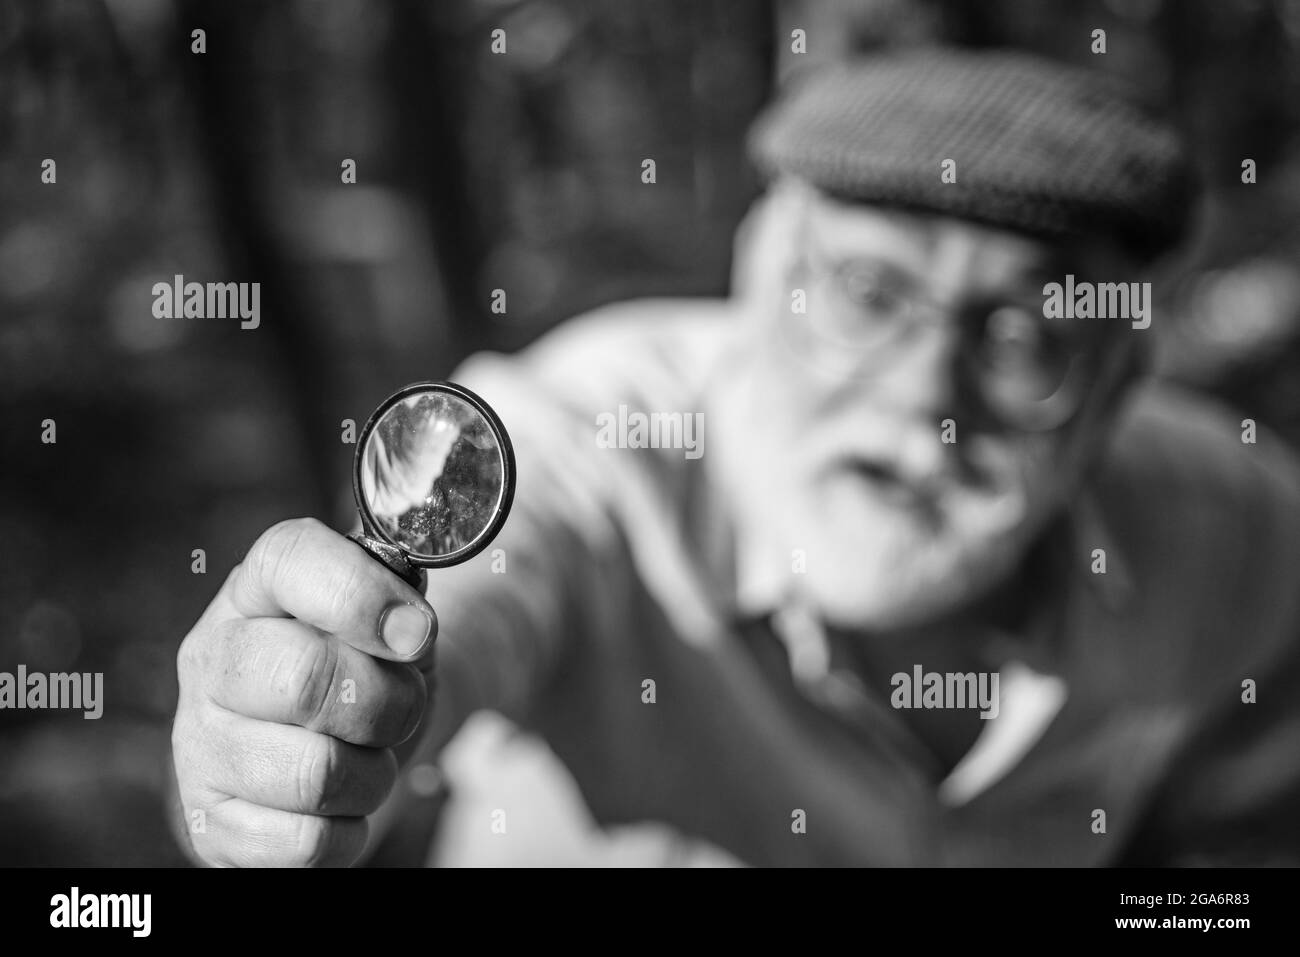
(296, 685)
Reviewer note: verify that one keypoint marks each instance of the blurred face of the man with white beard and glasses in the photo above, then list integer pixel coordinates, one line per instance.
(895, 447)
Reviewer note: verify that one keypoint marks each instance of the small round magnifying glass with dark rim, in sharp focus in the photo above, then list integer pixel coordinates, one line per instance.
(434, 479)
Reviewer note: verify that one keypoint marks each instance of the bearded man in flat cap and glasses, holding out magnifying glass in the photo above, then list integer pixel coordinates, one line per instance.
(942, 582)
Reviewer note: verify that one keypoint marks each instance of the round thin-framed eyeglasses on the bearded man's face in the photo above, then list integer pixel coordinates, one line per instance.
(1026, 374)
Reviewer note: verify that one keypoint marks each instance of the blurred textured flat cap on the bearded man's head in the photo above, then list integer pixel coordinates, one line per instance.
(1039, 148)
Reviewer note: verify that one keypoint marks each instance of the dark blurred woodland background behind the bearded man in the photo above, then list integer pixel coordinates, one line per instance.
(474, 172)
